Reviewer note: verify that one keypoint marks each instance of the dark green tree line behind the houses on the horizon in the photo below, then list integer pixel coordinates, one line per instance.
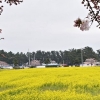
(69, 57)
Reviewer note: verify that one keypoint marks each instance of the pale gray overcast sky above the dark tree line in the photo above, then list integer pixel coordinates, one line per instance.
(45, 25)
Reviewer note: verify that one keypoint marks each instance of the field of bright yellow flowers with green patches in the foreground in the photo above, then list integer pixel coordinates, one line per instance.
(50, 84)
